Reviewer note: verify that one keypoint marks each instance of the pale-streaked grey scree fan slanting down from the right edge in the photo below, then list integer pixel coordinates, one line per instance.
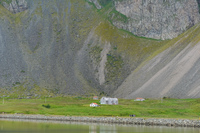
(172, 73)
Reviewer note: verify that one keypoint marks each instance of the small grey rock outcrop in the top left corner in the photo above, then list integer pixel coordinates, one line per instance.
(16, 6)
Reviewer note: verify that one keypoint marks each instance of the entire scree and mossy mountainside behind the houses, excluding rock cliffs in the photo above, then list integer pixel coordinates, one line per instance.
(73, 48)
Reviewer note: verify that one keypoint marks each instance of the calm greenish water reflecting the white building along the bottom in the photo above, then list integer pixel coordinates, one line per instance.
(10, 126)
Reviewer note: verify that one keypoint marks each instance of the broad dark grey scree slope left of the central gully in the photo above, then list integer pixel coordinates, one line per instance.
(39, 46)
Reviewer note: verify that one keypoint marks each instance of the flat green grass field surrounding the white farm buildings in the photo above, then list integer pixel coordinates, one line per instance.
(78, 106)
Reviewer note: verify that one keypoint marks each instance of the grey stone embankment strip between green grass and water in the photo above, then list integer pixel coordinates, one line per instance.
(109, 120)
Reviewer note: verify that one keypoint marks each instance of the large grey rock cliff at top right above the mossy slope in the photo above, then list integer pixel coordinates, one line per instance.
(159, 19)
